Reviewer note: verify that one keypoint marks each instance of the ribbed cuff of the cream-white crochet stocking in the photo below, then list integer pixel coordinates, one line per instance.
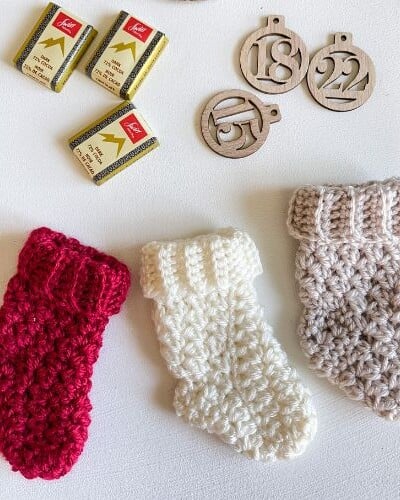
(201, 264)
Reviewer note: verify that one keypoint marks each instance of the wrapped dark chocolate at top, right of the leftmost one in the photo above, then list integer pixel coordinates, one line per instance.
(126, 55)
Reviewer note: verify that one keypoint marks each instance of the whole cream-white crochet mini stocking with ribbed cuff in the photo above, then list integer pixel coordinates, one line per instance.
(234, 380)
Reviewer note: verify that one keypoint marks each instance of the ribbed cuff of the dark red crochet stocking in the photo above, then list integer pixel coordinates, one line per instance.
(76, 276)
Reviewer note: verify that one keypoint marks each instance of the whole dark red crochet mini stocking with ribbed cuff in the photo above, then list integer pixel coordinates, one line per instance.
(51, 324)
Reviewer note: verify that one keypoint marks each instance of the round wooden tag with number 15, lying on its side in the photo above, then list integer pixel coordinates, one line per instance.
(248, 129)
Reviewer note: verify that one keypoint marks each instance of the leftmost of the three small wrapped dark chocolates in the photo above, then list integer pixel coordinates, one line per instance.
(54, 46)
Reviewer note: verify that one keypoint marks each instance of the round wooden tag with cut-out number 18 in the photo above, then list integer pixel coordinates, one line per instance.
(274, 59)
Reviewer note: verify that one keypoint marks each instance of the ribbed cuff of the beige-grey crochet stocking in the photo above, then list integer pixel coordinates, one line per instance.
(366, 212)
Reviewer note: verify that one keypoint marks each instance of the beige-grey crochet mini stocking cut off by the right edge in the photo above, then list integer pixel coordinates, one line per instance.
(348, 271)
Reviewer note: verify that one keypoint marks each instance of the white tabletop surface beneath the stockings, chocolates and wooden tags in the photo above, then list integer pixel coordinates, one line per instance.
(138, 448)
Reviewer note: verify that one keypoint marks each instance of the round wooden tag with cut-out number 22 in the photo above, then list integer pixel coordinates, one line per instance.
(341, 77)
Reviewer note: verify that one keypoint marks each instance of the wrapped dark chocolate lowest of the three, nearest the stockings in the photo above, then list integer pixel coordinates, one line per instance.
(113, 142)
